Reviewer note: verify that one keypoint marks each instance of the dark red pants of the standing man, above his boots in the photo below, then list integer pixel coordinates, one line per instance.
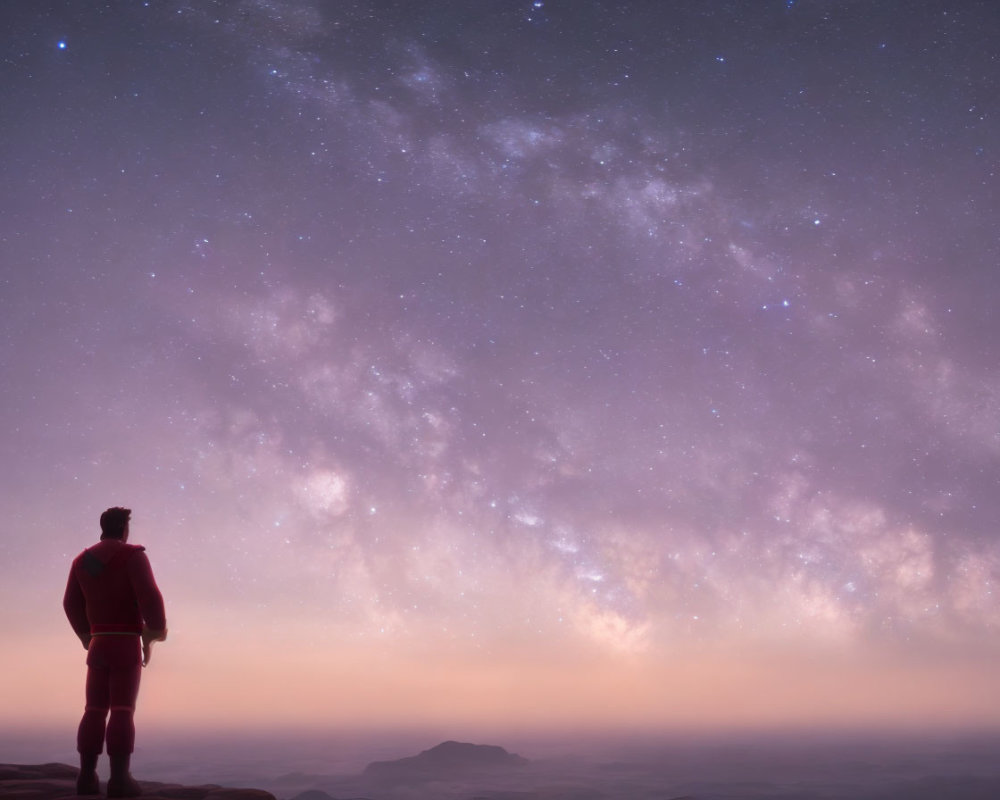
(114, 664)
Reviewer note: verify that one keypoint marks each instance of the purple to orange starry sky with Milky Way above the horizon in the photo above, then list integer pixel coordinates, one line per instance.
(508, 363)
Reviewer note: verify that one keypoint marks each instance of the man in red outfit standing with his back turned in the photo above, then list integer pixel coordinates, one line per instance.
(115, 607)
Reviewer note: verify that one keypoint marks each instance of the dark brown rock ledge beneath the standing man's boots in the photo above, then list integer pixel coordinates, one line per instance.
(58, 782)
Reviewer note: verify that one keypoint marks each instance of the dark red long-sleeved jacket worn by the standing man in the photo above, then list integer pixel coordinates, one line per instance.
(111, 589)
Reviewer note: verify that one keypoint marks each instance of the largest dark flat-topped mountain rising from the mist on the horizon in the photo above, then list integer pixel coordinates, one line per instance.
(448, 759)
